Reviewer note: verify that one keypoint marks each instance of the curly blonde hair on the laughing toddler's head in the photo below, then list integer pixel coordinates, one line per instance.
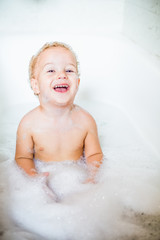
(35, 57)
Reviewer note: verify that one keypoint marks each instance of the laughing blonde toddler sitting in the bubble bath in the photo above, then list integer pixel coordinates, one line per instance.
(56, 130)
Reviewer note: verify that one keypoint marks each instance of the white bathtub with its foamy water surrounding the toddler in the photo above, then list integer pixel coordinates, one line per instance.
(119, 87)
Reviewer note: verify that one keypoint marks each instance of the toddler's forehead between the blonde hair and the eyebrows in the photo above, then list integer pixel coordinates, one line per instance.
(56, 55)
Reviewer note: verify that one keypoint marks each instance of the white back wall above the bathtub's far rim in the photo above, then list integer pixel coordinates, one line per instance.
(83, 17)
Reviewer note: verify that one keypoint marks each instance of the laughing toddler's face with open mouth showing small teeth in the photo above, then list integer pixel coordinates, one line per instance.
(56, 78)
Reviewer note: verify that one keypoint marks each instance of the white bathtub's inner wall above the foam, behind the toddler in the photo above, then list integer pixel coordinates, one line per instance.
(113, 69)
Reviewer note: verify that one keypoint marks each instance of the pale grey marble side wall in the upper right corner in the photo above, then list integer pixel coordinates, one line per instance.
(142, 23)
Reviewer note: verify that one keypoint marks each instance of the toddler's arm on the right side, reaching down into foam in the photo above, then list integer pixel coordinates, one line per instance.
(93, 152)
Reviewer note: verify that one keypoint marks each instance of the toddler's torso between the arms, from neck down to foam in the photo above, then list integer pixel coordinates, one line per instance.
(59, 141)
